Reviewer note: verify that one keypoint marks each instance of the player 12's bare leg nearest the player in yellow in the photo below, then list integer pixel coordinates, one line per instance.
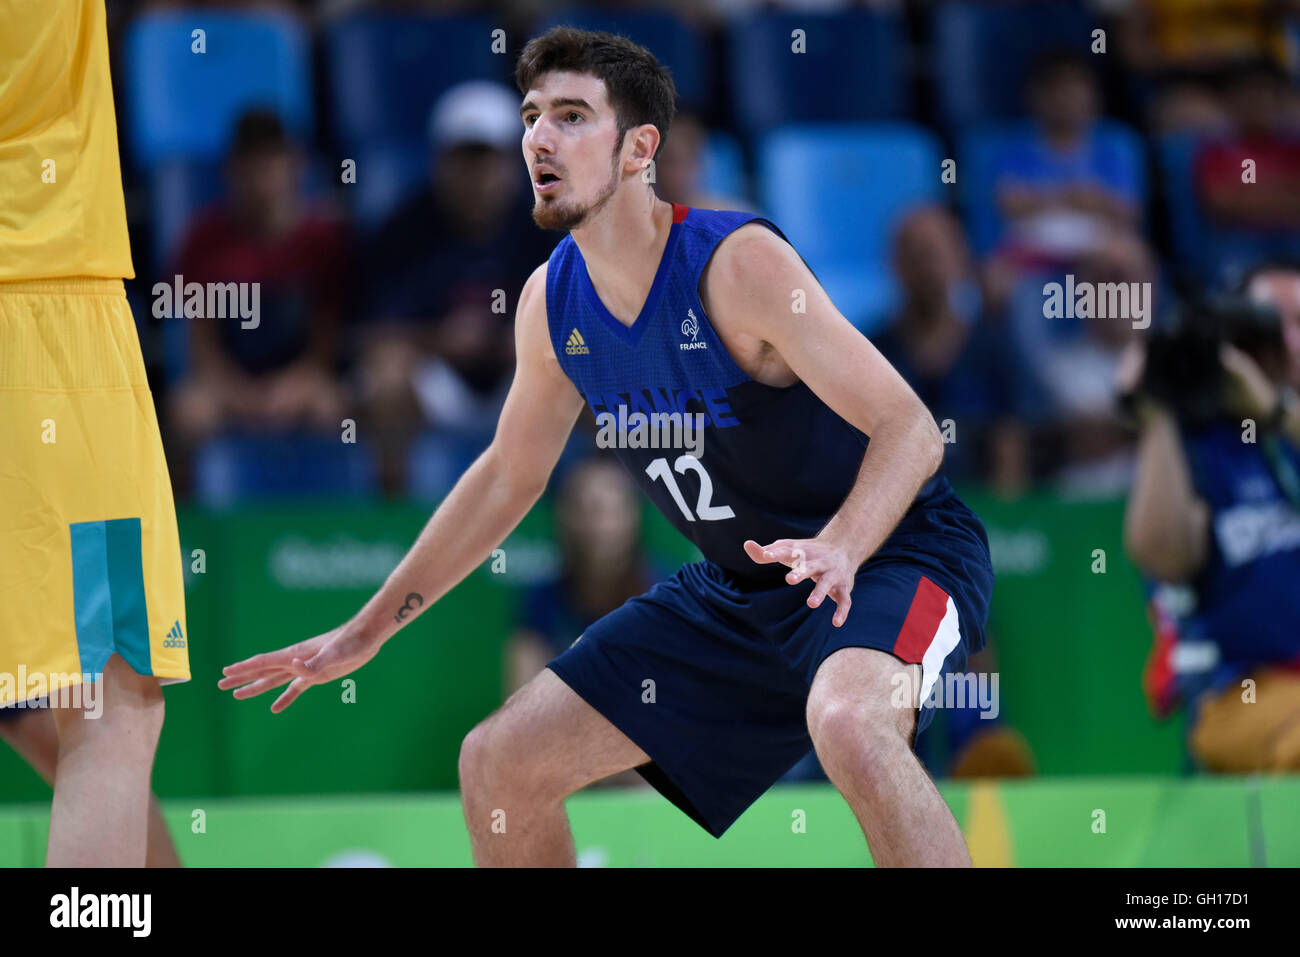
(519, 765)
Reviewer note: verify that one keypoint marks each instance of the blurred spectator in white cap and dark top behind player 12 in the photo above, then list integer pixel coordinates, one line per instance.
(444, 276)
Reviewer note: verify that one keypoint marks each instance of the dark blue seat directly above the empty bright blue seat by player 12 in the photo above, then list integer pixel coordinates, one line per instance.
(855, 68)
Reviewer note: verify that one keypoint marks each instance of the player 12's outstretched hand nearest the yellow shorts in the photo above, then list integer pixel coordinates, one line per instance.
(317, 661)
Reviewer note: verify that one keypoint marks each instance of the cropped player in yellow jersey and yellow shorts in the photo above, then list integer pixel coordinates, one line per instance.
(90, 562)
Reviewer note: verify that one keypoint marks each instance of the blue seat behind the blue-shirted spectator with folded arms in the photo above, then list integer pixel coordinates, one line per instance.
(976, 172)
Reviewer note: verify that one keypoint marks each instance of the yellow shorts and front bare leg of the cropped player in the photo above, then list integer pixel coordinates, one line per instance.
(94, 579)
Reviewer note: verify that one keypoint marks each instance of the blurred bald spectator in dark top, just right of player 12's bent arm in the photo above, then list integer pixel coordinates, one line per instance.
(963, 366)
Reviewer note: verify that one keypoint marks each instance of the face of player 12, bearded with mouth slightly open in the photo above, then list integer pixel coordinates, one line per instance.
(570, 137)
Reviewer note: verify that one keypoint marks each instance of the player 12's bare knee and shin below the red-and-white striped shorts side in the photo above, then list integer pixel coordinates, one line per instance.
(864, 741)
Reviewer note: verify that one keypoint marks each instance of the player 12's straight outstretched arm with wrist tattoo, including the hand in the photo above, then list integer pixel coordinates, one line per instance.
(489, 501)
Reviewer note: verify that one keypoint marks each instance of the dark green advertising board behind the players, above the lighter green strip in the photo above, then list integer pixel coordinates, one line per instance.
(1069, 638)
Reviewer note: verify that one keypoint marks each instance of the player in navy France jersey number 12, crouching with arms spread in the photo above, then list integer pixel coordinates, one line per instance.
(713, 683)
